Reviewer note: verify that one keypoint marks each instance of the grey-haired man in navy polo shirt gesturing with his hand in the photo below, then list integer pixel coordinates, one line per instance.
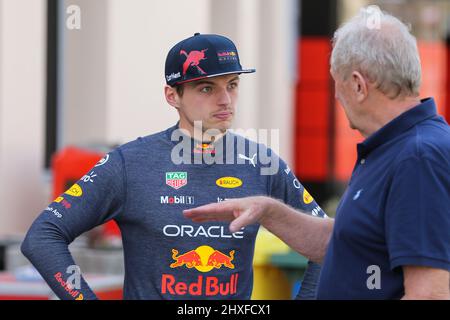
(391, 235)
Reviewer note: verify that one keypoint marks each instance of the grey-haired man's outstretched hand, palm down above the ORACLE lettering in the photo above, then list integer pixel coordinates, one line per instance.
(241, 212)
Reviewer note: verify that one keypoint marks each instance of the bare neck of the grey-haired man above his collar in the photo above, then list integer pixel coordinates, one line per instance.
(384, 111)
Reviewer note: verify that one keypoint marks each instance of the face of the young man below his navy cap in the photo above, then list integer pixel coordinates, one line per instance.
(212, 101)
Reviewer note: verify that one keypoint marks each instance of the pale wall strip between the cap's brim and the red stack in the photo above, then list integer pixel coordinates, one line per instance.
(276, 47)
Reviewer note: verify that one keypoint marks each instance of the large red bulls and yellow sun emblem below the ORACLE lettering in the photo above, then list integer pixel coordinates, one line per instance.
(204, 259)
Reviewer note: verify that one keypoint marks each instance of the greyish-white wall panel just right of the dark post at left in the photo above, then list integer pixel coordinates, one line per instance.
(84, 85)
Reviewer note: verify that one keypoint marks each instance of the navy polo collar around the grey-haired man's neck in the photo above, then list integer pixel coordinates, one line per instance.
(427, 109)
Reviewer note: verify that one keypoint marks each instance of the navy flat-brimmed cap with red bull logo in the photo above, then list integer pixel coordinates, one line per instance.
(202, 56)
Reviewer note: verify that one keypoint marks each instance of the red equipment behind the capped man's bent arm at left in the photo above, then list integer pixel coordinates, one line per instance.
(68, 166)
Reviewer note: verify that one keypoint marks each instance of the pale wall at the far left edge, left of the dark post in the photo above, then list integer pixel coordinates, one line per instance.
(22, 68)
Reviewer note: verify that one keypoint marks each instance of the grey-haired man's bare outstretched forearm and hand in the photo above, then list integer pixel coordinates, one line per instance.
(305, 234)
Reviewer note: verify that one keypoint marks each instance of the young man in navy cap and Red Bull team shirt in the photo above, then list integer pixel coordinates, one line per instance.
(145, 185)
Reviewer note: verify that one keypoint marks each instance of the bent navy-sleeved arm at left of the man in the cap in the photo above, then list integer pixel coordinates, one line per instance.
(95, 199)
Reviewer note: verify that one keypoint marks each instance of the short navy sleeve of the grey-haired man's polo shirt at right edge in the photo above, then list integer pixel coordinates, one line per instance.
(417, 214)
